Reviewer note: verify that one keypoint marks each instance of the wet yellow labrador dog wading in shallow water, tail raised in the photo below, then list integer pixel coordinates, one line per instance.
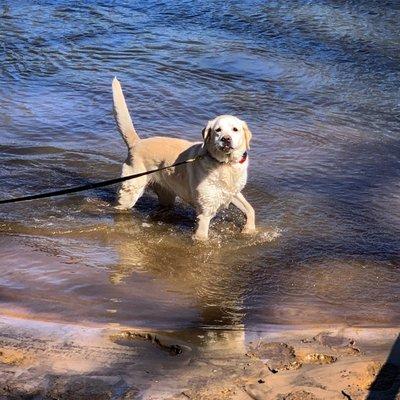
(213, 181)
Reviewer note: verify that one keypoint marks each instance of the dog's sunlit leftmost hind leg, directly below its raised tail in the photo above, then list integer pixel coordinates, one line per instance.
(131, 190)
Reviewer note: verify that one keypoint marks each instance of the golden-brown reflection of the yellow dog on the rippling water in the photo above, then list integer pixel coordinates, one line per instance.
(209, 275)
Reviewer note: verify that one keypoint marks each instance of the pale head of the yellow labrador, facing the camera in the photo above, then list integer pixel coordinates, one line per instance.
(226, 138)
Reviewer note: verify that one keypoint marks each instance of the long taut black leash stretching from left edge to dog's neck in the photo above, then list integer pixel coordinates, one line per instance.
(93, 185)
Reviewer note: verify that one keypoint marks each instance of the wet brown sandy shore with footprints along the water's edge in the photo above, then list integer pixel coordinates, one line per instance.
(53, 360)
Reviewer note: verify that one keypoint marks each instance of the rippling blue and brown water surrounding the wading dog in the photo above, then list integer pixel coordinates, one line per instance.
(318, 84)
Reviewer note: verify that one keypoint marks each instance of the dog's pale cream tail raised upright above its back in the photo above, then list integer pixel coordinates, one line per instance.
(122, 116)
